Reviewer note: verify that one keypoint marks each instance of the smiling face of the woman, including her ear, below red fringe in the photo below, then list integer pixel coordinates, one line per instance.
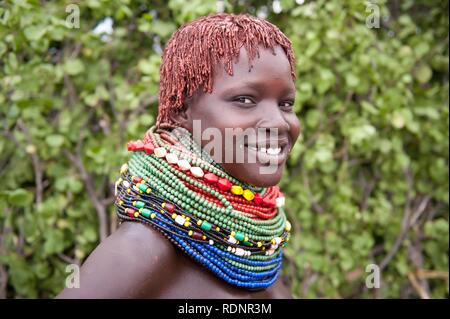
(257, 107)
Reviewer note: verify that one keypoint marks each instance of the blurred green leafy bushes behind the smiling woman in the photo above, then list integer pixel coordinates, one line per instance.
(366, 184)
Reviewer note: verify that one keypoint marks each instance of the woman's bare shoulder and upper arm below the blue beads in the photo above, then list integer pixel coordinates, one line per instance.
(128, 264)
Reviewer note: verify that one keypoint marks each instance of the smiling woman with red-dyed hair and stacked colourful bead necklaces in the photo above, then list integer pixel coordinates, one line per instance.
(206, 224)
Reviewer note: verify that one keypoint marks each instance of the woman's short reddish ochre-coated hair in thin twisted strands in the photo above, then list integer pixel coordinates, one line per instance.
(195, 48)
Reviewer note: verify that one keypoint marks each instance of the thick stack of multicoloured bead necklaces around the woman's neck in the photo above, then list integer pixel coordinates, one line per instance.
(234, 229)
